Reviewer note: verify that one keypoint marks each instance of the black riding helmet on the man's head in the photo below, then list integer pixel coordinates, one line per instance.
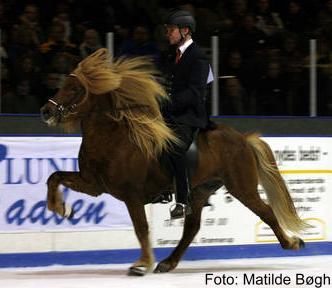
(181, 19)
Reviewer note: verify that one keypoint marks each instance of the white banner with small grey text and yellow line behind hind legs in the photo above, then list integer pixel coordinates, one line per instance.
(306, 165)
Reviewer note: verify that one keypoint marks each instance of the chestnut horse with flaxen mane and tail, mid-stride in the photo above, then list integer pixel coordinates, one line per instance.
(116, 103)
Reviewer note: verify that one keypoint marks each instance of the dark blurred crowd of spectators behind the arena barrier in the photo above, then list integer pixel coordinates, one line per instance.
(264, 47)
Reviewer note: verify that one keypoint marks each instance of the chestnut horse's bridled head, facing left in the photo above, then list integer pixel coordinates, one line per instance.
(67, 104)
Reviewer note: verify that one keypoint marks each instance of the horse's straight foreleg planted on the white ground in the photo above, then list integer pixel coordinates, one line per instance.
(145, 262)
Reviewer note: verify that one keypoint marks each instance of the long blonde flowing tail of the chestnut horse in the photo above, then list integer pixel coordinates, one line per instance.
(275, 187)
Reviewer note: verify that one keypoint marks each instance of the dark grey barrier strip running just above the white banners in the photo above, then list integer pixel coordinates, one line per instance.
(32, 124)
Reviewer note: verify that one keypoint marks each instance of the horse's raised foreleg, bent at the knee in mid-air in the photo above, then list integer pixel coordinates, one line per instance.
(71, 180)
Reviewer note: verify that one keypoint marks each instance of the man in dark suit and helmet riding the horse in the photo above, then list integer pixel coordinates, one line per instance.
(187, 88)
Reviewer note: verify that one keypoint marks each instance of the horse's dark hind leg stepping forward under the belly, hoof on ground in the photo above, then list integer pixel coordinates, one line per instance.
(191, 227)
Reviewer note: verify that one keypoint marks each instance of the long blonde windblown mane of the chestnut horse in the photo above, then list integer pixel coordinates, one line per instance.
(135, 95)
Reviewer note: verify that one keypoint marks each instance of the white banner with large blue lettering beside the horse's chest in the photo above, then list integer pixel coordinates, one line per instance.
(25, 165)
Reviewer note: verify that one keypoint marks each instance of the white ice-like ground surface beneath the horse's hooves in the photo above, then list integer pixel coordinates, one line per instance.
(189, 274)
